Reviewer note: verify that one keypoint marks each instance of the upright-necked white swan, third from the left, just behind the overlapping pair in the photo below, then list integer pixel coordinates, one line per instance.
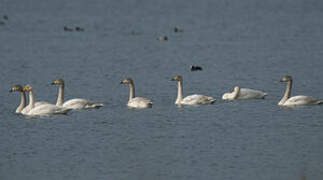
(76, 103)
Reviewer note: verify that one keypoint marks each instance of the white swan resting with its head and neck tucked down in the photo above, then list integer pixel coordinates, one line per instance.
(244, 93)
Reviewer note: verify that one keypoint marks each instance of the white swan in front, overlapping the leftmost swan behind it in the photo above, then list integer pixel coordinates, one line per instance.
(43, 109)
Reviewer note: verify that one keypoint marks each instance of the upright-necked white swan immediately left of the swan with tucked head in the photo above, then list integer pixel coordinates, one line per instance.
(195, 99)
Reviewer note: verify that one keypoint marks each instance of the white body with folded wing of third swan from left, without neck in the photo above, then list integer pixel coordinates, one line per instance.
(79, 103)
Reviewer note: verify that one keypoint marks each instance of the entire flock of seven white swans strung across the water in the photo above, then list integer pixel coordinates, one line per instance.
(40, 108)
